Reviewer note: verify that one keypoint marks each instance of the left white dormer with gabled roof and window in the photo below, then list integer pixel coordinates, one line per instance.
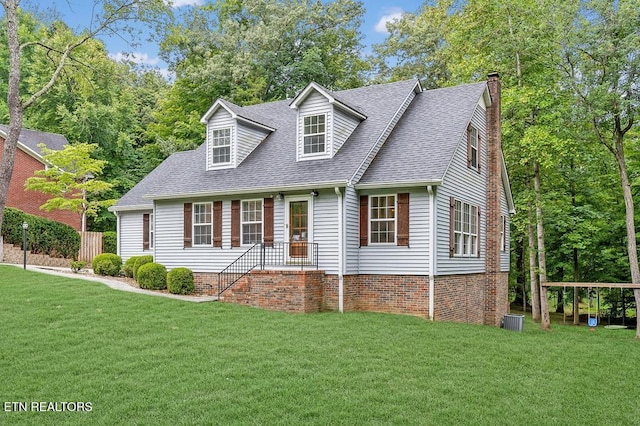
(232, 133)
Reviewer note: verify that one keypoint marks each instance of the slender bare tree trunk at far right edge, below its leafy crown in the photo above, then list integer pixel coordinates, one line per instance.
(631, 233)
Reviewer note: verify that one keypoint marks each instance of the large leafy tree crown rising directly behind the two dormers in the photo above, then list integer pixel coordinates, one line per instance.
(254, 51)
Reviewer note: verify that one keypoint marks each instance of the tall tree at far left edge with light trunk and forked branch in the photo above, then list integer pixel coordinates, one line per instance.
(113, 16)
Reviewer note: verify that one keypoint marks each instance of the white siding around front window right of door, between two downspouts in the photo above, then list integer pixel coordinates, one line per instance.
(393, 259)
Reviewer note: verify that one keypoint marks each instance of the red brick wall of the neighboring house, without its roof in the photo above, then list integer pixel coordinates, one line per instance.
(30, 201)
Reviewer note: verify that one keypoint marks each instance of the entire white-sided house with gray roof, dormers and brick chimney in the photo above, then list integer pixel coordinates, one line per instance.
(389, 197)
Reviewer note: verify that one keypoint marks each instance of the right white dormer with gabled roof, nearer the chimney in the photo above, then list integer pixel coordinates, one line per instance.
(324, 123)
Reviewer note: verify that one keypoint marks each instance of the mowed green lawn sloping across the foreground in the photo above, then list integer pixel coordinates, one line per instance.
(148, 360)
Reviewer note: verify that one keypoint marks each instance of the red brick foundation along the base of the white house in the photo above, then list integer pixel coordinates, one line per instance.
(457, 298)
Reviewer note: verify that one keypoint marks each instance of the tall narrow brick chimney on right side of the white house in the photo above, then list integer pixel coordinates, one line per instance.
(496, 288)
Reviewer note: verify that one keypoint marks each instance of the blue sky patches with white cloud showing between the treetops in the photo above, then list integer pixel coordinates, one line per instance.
(77, 14)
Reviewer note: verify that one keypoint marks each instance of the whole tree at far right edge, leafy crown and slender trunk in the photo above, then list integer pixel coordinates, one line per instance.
(601, 63)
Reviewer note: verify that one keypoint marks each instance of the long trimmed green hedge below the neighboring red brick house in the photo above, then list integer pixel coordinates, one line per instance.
(44, 236)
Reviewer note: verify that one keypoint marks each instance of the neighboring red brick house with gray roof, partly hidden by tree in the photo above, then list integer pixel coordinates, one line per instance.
(28, 160)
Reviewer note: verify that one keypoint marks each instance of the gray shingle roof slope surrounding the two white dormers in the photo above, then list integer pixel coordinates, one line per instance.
(273, 163)
